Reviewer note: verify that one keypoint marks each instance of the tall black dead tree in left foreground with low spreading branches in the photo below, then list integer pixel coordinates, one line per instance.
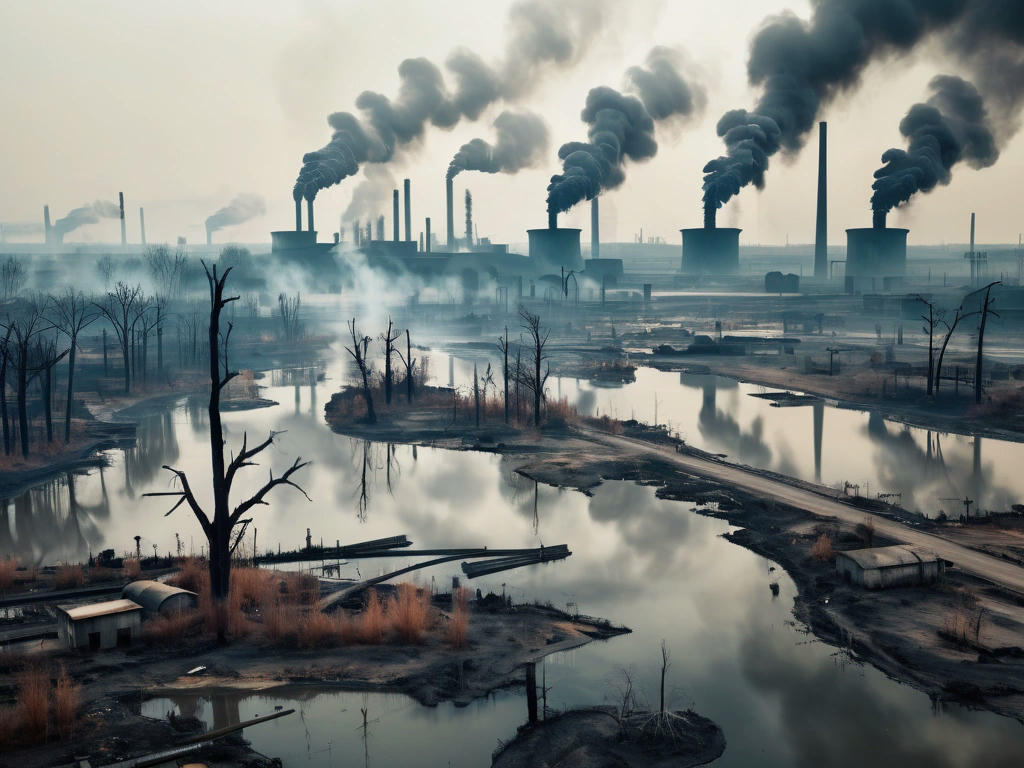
(220, 529)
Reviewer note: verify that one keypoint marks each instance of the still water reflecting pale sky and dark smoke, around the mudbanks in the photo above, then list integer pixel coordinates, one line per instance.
(782, 698)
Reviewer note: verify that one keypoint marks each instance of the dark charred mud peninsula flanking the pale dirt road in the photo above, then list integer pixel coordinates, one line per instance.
(958, 641)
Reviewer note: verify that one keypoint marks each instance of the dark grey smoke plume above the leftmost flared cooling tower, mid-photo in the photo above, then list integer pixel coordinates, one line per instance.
(622, 127)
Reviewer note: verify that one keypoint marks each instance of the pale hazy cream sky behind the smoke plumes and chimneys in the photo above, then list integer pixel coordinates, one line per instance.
(183, 106)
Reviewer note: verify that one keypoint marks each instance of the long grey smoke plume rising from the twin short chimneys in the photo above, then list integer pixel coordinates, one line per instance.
(539, 36)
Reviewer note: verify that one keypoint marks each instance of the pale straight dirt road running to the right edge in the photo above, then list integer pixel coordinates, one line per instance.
(994, 570)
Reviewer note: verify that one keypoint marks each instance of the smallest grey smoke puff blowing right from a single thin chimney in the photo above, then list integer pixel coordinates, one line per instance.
(521, 143)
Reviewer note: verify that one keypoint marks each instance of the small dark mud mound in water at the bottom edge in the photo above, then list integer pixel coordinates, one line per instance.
(606, 737)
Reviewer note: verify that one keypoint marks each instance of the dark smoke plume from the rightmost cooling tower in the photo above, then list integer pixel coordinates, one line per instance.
(951, 127)
